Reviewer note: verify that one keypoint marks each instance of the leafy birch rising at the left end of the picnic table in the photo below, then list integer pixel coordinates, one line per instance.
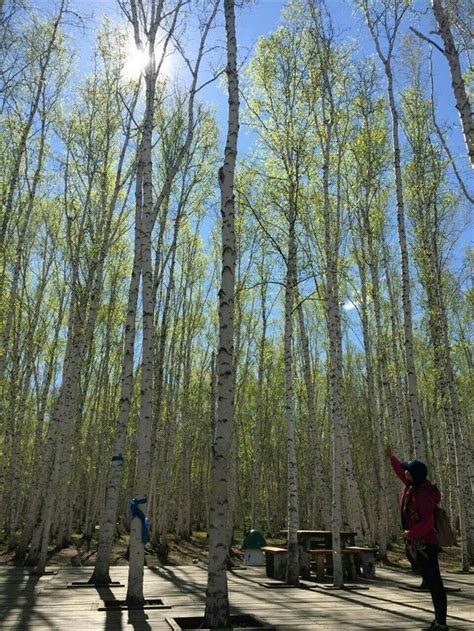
(278, 111)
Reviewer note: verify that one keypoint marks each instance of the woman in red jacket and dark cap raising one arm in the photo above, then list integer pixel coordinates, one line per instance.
(418, 501)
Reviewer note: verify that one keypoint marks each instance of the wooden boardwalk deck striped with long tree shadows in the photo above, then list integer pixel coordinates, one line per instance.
(29, 602)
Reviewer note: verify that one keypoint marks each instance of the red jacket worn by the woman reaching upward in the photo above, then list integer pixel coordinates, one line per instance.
(417, 508)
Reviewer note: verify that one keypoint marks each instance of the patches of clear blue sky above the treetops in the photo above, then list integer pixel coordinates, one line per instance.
(262, 17)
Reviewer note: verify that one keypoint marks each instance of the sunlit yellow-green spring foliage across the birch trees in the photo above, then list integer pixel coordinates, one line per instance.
(321, 157)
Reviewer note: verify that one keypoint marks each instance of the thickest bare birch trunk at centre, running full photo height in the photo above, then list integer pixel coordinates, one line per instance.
(217, 599)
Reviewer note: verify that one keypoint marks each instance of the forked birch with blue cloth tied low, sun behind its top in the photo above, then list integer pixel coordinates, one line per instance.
(149, 22)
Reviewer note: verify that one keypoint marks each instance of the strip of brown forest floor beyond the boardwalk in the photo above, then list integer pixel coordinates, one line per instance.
(193, 552)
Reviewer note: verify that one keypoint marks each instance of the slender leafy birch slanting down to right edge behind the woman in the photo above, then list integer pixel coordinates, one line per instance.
(430, 204)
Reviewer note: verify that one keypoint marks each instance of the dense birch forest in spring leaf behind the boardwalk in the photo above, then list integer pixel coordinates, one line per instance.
(219, 317)
